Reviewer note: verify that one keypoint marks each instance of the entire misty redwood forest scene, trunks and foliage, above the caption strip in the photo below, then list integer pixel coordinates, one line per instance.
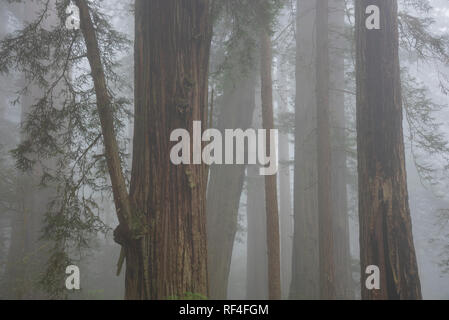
(85, 175)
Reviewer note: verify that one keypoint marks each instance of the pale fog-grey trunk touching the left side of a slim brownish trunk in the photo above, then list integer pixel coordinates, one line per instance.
(305, 265)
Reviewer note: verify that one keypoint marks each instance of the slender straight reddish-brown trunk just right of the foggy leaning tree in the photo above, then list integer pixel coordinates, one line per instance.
(273, 245)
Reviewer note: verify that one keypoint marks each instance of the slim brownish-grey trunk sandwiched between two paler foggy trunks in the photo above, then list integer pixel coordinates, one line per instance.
(325, 219)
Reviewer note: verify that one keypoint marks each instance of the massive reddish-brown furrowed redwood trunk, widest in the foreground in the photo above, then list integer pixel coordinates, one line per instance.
(172, 45)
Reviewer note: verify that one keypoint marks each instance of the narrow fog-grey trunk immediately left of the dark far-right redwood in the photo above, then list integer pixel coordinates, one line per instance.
(343, 280)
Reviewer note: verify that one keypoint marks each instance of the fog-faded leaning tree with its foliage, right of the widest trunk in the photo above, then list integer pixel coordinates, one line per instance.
(234, 103)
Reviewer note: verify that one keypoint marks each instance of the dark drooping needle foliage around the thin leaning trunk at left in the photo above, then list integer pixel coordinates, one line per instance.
(62, 126)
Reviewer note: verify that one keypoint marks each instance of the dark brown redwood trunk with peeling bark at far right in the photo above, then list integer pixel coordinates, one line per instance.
(385, 224)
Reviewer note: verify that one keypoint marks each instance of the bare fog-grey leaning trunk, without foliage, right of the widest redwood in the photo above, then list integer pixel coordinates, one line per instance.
(226, 181)
